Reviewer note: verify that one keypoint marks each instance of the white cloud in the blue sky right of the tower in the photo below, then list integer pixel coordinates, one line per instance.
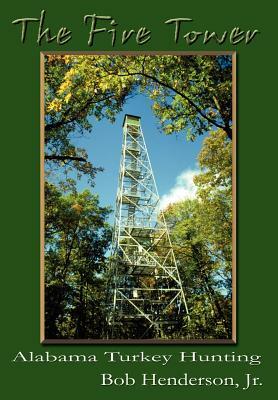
(184, 188)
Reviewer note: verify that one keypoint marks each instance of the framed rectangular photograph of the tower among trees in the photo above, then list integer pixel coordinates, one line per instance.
(138, 198)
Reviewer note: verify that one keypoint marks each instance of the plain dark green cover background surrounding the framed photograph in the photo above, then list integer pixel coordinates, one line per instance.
(256, 230)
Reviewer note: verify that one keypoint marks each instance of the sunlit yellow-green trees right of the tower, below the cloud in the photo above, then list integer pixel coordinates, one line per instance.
(201, 232)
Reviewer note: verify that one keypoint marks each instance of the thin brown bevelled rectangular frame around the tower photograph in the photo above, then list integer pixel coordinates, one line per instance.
(233, 340)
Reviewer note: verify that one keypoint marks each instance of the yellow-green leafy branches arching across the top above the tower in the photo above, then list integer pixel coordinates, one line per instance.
(189, 92)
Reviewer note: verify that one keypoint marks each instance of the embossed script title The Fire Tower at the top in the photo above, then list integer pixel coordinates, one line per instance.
(98, 26)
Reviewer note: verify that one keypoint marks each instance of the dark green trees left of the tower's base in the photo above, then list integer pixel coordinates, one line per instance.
(77, 238)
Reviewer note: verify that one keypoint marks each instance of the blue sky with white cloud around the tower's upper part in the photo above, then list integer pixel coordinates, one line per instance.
(173, 158)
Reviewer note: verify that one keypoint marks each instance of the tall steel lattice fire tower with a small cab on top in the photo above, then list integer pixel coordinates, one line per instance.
(146, 295)
